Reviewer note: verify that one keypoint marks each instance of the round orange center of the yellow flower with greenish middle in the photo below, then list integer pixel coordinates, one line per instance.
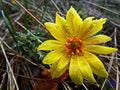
(74, 46)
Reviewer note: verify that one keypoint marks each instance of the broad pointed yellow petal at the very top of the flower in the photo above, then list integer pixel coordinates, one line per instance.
(74, 21)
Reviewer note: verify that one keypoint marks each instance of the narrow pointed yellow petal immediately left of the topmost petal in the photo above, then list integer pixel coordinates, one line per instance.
(61, 24)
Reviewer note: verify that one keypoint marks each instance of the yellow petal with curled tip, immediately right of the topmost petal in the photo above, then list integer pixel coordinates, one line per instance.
(85, 27)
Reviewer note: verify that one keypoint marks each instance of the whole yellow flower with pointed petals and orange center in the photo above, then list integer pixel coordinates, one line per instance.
(75, 47)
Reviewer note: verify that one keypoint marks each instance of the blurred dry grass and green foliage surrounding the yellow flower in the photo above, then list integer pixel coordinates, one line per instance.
(20, 34)
